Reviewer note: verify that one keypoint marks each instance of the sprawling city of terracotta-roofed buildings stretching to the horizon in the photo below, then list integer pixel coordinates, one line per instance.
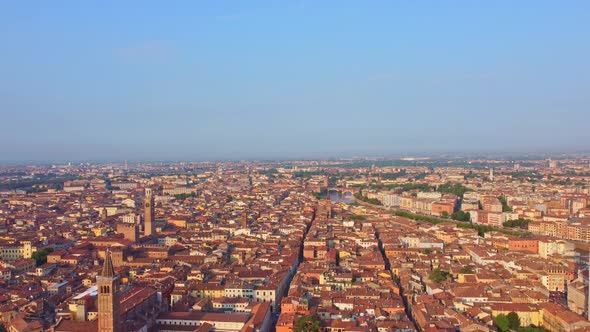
(411, 244)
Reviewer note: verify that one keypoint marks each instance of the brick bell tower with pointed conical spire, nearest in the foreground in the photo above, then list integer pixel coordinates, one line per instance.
(109, 317)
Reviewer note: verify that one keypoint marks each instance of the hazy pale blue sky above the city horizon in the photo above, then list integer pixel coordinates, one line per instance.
(197, 80)
